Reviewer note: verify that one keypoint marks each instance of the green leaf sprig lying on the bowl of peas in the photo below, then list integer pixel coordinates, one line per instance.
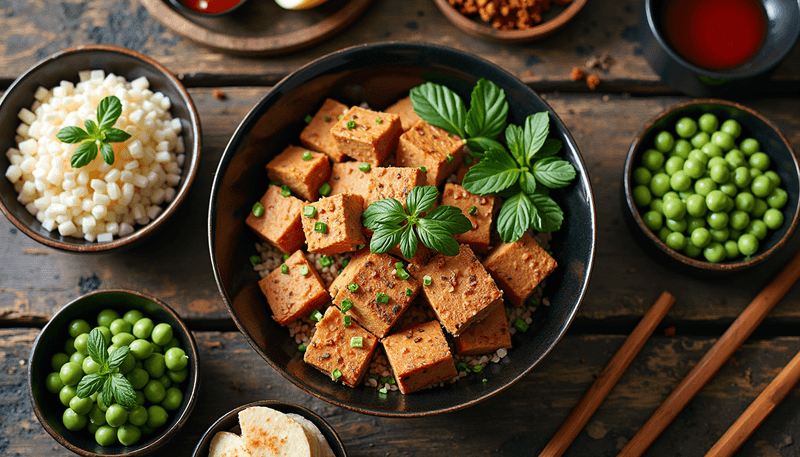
(108, 381)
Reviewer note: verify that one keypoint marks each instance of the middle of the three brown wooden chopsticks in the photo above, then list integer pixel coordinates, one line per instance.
(708, 366)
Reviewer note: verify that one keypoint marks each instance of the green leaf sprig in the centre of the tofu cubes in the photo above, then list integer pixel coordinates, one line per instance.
(395, 225)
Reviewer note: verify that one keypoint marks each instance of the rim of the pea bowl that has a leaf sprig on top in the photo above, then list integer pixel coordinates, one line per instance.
(161, 439)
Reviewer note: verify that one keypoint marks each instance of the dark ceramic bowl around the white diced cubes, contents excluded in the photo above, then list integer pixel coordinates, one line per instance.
(65, 65)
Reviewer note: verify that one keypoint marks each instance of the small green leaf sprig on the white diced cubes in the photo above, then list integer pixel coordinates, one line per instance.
(97, 136)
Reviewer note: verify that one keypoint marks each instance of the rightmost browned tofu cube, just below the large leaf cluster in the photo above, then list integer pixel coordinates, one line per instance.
(519, 267)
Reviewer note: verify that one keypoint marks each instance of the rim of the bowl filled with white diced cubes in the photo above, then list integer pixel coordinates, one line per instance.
(189, 172)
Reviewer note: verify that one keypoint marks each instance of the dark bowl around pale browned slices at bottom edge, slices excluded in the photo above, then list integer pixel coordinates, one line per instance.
(230, 423)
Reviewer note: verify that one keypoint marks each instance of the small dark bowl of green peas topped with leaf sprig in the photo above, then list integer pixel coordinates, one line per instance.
(113, 372)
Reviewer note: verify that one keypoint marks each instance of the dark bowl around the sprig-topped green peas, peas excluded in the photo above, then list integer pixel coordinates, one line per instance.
(48, 408)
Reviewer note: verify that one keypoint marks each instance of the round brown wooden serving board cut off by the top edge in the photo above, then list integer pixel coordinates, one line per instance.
(260, 27)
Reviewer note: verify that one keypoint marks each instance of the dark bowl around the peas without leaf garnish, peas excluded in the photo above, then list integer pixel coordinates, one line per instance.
(754, 125)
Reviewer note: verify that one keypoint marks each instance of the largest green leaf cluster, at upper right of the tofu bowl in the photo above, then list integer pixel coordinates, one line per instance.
(523, 174)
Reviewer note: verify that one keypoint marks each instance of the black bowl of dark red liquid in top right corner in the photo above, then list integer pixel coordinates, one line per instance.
(718, 47)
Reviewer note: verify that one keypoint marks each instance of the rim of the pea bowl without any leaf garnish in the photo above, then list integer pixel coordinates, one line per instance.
(636, 144)
